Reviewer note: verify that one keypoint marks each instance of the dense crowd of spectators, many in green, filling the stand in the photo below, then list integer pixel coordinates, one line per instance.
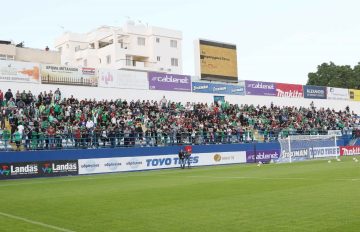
(47, 120)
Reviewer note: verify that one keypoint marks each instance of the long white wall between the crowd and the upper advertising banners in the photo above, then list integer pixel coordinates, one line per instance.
(132, 94)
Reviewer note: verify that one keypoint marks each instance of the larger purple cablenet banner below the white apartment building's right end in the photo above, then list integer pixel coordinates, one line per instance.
(169, 82)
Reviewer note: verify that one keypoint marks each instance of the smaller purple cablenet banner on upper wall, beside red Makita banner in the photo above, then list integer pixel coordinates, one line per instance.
(260, 88)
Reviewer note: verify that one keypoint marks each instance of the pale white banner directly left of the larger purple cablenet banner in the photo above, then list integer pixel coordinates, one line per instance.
(122, 79)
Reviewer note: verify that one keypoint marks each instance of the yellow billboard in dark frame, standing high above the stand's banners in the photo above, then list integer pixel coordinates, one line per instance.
(218, 61)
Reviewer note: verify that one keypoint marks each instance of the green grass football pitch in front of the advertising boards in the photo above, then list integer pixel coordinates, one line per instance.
(306, 196)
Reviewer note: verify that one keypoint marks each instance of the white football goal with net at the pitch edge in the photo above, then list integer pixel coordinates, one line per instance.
(301, 147)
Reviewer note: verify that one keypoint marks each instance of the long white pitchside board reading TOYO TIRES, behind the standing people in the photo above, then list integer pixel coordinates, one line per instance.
(122, 164)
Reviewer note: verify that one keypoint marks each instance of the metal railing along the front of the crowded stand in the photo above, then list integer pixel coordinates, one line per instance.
(93, 140)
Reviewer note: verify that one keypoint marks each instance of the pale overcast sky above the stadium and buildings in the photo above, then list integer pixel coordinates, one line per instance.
(277, 40)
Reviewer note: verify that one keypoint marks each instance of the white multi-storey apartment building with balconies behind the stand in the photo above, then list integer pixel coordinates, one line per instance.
(133, 47)
